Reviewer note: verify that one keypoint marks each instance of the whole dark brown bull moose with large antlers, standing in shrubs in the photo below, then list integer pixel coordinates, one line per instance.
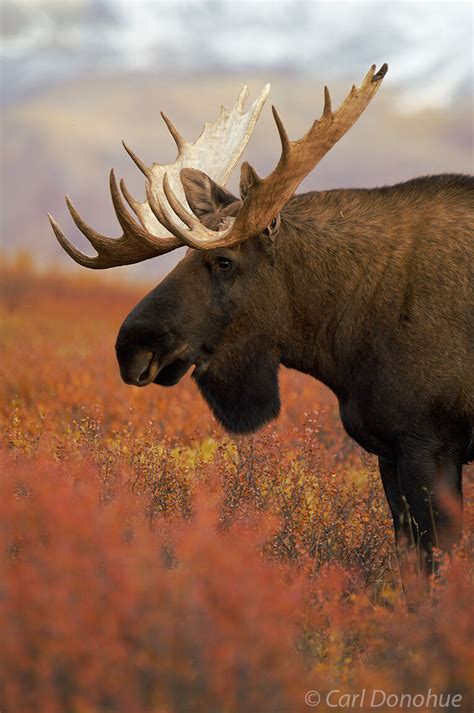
(371, 291)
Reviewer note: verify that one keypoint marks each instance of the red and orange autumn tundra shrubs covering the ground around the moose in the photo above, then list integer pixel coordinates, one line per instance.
(152, 564)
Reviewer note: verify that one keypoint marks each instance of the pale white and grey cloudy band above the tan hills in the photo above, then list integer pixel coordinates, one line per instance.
(427, 44)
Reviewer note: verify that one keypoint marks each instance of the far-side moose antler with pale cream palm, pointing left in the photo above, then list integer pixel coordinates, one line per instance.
(215, 152)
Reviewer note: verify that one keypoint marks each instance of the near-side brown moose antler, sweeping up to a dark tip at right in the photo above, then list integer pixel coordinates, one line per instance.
(266, 197)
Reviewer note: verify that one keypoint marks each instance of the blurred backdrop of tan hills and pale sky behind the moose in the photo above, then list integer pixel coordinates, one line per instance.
(78, 76)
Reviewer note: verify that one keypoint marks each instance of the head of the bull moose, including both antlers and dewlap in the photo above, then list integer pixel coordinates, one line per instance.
(230, 307)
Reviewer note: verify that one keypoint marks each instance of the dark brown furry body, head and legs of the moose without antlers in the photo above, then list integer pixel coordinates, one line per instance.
(370, 291)
